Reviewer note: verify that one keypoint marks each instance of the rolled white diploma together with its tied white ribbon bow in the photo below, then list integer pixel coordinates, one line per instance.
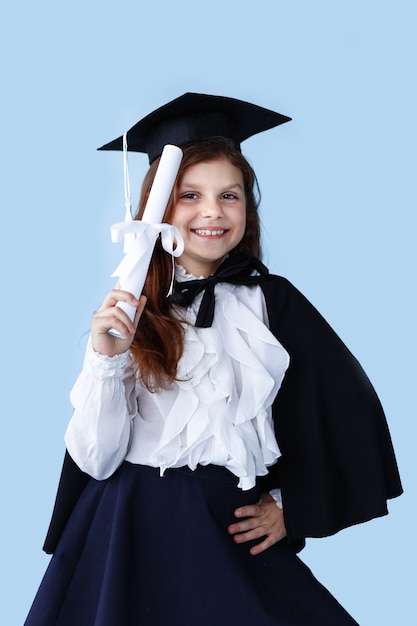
(142, 234)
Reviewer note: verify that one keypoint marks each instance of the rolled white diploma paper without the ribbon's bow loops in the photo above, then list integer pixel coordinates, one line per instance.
(139, 253)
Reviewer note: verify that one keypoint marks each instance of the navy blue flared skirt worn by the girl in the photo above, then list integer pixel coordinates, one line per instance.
(145, 550)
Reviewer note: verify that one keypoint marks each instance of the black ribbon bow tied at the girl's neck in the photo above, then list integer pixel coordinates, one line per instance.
(236, 269)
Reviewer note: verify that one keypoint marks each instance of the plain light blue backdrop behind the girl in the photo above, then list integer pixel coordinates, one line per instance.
(338, 207)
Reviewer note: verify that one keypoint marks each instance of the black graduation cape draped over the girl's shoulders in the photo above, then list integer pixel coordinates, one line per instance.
(338, 466)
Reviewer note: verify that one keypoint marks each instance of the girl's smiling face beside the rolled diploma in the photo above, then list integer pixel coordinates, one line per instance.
(210, 213)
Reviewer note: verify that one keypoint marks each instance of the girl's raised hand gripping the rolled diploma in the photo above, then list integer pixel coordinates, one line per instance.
(110, 316)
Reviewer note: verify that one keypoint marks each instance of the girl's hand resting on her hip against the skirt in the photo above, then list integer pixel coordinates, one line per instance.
(264, 519)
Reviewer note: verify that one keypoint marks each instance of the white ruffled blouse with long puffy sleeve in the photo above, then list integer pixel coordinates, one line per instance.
(219, 411)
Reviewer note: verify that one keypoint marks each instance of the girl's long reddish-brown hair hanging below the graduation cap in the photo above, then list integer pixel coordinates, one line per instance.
(159, 339)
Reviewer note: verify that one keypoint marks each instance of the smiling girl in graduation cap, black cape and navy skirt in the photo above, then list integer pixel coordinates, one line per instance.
(226, 425)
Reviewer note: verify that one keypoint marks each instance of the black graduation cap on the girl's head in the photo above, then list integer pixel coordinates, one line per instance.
(196, 117)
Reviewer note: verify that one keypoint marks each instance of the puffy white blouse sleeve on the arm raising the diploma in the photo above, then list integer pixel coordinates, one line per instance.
(104, 402)
